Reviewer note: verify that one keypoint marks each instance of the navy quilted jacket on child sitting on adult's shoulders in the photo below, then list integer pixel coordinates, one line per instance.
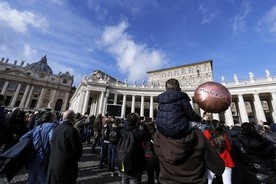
(174, 113)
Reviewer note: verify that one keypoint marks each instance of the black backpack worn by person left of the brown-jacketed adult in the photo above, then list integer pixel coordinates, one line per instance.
(126, 153)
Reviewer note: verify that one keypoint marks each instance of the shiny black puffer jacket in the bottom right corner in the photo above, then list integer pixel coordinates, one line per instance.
(255, 159)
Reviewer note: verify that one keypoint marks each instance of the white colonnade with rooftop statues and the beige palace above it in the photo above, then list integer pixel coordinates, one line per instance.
(252, 99)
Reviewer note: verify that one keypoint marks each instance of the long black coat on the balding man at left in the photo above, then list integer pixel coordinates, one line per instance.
(65, 152)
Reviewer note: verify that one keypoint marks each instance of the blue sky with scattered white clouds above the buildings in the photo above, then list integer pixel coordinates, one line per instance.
(127, 38)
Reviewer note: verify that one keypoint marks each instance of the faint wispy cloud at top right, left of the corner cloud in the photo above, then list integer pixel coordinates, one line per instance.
(240, 19)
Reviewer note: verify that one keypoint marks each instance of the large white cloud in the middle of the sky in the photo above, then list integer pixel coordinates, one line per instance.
(133, 59)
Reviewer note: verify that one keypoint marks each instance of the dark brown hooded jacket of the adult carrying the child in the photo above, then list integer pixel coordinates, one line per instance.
(186, 160)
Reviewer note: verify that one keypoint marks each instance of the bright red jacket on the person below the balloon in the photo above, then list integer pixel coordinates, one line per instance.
(226, 154)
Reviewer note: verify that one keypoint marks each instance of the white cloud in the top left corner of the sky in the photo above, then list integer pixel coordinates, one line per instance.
(19, 21)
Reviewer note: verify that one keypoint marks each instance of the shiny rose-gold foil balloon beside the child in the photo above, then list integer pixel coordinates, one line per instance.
(212, 97)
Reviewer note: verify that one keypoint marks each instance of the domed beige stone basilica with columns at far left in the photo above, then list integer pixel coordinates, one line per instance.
(34, 86)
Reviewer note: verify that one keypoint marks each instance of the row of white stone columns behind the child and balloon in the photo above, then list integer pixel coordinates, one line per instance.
(245, 107)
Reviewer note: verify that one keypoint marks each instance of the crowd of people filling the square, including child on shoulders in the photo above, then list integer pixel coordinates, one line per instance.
(179, 147)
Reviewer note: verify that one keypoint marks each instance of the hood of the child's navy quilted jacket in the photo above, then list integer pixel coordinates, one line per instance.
(172, 96)
